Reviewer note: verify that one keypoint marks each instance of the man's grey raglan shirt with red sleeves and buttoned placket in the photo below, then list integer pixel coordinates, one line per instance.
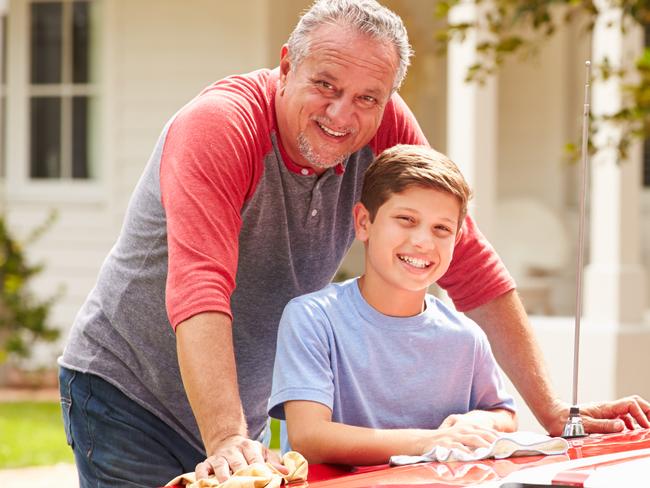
(223, 221)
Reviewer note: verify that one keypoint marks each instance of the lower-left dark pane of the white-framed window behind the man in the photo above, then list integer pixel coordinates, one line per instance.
(45, 155)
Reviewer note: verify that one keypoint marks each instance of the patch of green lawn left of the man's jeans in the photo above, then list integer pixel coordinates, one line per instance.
(31, 434)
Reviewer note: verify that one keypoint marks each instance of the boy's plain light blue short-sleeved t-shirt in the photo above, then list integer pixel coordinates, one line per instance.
(377, 371)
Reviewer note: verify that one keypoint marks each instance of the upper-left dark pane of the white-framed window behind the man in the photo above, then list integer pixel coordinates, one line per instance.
(46, 42)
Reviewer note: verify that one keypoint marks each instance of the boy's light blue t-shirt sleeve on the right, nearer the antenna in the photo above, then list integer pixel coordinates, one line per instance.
(488, 388)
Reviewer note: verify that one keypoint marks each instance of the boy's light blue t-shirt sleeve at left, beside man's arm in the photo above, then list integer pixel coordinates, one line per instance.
(302, 368)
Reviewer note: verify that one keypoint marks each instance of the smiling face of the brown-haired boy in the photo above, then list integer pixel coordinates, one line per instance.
(410, 243)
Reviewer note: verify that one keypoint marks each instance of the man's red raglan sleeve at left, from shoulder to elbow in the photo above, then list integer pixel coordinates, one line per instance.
(210, 164)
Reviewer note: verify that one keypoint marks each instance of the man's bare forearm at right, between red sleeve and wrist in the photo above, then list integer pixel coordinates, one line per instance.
(515, 347)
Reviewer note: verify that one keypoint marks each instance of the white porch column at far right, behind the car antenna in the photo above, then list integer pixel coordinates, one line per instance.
(614, 279)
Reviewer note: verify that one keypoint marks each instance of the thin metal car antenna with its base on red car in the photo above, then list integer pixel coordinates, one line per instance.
(574, 426)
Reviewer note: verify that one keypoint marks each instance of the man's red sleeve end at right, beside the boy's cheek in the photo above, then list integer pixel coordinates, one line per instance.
(476, 274)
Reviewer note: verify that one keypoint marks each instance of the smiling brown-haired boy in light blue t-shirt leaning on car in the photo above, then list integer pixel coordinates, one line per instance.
(372, 367)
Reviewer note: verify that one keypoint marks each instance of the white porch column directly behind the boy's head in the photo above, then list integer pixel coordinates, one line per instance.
(472, 119)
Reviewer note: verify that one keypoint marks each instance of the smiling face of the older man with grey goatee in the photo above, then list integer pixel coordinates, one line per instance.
(332, 103)
